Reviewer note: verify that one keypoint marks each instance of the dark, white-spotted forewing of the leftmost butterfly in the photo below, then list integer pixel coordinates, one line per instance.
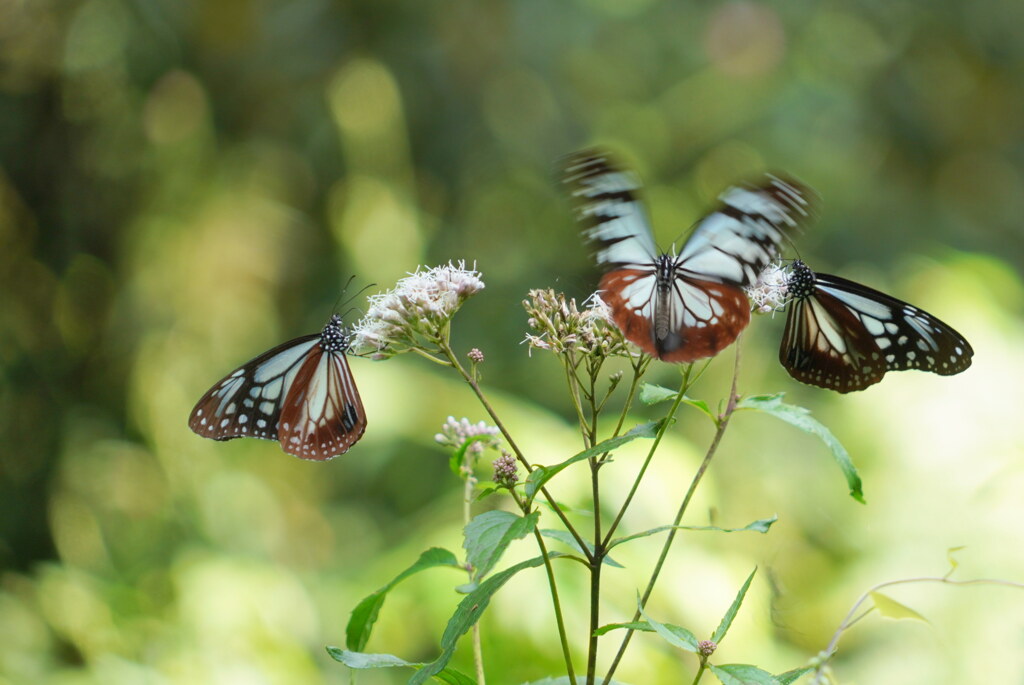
(247, 403)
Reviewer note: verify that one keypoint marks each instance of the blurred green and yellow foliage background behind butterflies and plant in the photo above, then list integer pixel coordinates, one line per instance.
(184, 186)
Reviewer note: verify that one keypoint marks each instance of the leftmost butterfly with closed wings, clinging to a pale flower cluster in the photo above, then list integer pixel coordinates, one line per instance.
(301, 394)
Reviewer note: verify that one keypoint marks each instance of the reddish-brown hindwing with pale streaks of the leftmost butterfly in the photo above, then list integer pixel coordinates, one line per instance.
(323, 415)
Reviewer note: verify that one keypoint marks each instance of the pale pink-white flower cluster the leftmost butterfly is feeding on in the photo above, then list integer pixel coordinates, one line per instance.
(420, 305)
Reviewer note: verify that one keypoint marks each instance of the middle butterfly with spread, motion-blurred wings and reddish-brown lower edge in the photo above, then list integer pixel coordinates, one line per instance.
(691, 306)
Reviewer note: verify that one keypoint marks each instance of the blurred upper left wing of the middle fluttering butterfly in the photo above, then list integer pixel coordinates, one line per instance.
(608, 208)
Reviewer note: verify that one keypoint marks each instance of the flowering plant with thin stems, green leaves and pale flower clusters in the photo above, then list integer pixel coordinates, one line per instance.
(416, 317)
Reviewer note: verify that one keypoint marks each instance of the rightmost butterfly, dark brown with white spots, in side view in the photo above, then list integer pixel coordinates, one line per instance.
(844, 336)
